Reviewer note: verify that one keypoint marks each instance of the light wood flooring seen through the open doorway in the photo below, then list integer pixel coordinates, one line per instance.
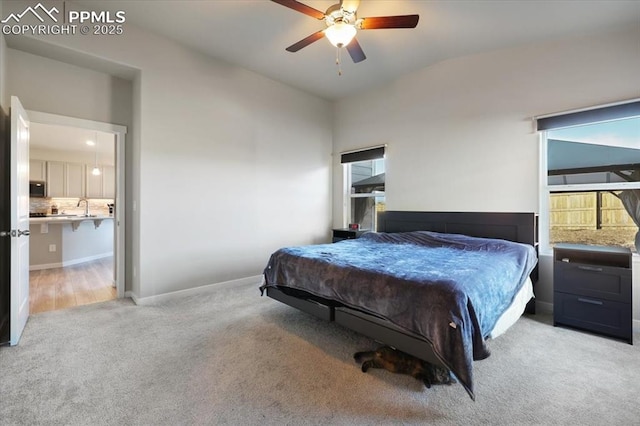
(82, 284)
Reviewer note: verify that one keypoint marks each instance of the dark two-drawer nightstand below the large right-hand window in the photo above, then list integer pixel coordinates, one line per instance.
(592, 289)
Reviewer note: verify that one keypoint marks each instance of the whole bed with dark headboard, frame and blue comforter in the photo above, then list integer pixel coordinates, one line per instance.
(416, 283)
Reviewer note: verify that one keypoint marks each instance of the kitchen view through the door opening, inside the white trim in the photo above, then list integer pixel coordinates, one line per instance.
(71, 255)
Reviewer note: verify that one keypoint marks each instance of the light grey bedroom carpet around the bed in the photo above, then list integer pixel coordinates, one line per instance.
(230, 356)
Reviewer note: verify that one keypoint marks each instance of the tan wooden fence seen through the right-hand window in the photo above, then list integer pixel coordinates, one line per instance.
(588, 210)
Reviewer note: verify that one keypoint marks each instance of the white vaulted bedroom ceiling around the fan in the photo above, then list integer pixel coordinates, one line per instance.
(253, 34)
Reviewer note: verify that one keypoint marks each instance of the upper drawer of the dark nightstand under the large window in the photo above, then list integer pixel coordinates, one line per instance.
(602, 282)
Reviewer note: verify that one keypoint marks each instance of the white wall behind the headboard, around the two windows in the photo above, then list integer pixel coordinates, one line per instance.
(460, 135)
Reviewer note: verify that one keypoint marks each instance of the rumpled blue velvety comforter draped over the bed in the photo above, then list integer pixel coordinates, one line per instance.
(448, 288)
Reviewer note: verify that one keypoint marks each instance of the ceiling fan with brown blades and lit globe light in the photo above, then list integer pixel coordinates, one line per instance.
(343, 24)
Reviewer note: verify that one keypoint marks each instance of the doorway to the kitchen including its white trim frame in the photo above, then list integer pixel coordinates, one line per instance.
(83, 273)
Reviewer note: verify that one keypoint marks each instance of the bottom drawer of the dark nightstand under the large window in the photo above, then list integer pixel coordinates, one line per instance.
(603, 316)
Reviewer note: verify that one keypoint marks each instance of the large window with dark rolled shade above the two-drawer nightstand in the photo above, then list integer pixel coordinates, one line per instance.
(591, 178)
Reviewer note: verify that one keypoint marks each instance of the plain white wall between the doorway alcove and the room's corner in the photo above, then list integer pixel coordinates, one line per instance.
(229, 165)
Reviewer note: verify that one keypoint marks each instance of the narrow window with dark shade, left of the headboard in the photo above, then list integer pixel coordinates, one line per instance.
(364, 183)
